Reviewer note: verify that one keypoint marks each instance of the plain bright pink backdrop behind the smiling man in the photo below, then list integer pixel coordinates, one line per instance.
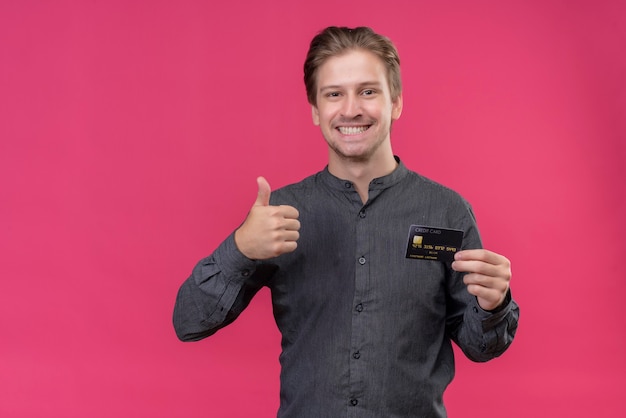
(131, 134)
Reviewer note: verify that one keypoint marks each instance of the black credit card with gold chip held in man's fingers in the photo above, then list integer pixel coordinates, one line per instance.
(433, 243)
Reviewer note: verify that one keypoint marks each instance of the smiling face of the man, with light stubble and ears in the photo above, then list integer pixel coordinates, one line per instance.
(354, 108)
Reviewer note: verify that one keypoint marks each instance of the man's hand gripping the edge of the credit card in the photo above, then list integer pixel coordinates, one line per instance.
(488, 276)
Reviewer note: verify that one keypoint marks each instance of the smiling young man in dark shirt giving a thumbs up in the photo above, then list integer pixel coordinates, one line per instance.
(366, 325)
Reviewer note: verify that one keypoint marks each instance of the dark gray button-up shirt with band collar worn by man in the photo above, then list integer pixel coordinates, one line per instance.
(365, 331)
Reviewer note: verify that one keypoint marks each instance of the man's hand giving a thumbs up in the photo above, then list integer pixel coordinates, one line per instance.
(268, 231)
